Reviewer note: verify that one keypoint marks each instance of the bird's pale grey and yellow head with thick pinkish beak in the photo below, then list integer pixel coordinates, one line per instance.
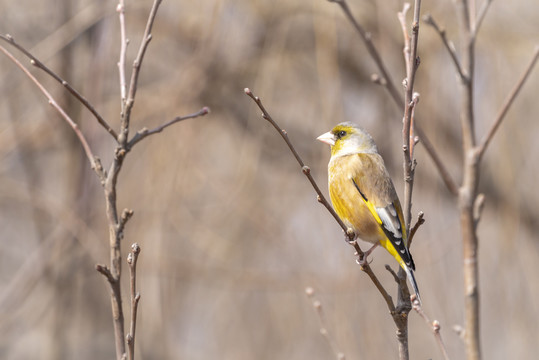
(348, 138)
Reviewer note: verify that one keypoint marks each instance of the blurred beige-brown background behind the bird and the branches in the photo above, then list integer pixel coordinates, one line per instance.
(230, 230)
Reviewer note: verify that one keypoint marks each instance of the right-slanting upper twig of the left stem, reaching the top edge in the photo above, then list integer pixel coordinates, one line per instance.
(146, 38)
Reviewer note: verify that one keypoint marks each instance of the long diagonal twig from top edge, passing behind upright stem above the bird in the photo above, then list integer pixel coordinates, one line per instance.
(389, 84)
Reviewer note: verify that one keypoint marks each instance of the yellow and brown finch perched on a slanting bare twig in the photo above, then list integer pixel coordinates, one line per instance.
(363, 194)
